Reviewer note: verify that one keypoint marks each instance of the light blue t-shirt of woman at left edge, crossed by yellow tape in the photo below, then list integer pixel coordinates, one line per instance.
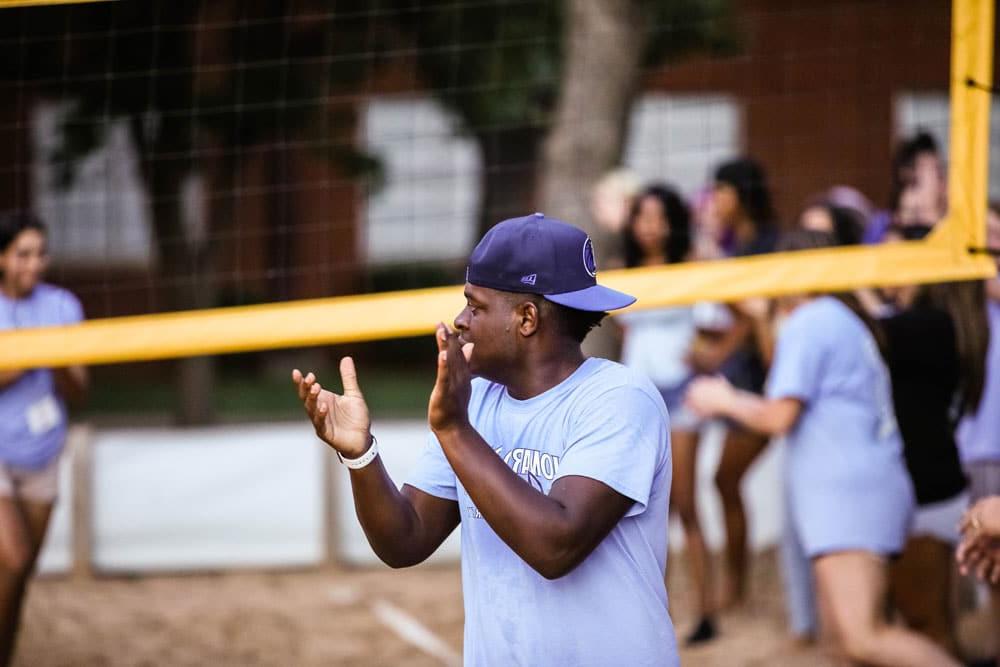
(32, 414)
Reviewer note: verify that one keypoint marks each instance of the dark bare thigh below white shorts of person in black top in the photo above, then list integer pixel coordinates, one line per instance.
(922, 590)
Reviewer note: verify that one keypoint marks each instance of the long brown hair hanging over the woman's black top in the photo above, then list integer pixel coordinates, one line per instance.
(965, 303)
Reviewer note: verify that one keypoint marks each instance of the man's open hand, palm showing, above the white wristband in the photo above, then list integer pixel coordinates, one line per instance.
(341, 421)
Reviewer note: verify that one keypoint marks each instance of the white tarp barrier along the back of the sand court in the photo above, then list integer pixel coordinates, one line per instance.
(167, 499)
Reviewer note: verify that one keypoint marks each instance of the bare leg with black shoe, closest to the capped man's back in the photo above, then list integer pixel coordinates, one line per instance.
(683, 487)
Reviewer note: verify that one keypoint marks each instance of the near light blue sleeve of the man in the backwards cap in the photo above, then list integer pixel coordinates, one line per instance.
(621, 440)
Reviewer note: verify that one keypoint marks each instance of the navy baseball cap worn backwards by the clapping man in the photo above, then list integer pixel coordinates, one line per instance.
(544, 256)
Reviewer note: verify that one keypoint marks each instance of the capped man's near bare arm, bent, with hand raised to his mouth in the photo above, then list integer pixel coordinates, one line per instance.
(552, 533)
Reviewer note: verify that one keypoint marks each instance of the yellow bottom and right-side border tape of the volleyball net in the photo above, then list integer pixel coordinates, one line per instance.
(944, 256)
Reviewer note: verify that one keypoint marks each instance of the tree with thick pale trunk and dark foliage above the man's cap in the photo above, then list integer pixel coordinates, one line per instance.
(504, 66)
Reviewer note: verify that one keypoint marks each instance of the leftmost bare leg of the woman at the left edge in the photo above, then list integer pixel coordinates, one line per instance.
(15, 560)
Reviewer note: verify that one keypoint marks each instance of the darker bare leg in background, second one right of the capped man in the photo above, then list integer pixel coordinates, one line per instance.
(739, 450)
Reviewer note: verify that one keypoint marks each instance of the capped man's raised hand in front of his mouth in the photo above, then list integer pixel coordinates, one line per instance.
(449, 404)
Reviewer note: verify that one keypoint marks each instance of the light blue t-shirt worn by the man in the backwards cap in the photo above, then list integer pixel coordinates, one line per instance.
(605, 422)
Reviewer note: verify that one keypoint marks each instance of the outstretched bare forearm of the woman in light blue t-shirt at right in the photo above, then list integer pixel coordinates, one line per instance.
(715, 397)
